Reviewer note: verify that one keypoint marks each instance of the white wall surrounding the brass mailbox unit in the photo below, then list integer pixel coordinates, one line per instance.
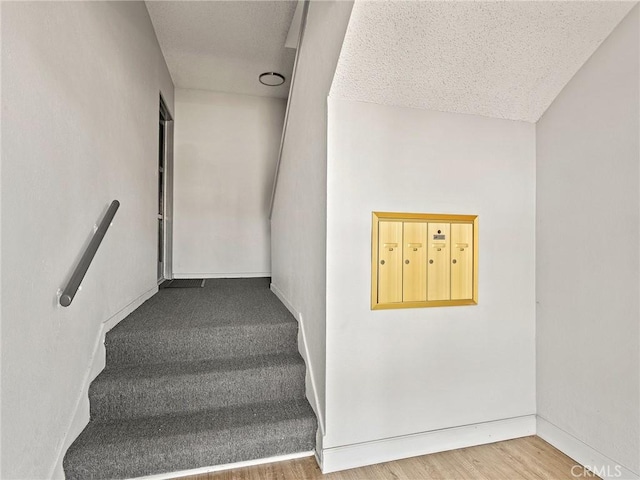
(393, 373)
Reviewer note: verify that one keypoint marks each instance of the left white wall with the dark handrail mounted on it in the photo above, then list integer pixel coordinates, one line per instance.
(80, 90)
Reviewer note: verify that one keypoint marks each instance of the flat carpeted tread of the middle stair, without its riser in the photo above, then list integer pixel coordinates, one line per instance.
(172, 369)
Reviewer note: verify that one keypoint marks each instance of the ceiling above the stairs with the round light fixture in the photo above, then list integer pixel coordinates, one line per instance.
(225, 45)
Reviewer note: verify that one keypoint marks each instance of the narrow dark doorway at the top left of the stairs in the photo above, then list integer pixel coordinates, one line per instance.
(165, 192)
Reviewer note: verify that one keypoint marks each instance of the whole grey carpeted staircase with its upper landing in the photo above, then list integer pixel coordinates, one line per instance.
(196, 377)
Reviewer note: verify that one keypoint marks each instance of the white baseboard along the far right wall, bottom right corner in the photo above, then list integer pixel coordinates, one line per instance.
(596, 462)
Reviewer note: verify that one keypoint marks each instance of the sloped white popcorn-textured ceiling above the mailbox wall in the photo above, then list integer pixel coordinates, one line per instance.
(499, 59)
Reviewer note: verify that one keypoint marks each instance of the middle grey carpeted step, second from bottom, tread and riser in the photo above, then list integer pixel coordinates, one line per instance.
(159, 389)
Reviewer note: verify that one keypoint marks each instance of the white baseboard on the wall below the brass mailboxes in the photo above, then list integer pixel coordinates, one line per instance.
(388, 449)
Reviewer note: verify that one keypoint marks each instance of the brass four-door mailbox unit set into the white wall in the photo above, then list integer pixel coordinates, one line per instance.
(423, 260)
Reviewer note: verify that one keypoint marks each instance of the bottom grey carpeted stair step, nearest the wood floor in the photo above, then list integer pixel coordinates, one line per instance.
(146, 446)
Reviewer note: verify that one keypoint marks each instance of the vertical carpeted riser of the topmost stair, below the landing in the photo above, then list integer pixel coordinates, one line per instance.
(203, 342)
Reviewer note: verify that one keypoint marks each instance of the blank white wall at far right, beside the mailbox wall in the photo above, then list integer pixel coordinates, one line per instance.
(588, 236)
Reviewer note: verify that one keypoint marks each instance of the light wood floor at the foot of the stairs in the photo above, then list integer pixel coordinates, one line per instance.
(529, 458)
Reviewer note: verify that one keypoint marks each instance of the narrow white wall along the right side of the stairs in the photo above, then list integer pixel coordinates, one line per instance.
(298, 223)
